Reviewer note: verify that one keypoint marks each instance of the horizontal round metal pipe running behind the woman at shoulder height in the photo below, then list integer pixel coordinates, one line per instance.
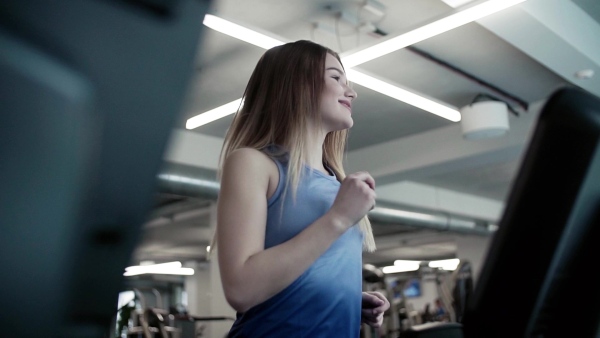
(184, 180)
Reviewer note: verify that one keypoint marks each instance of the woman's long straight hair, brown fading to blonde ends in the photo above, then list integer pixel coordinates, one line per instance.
(280, 101)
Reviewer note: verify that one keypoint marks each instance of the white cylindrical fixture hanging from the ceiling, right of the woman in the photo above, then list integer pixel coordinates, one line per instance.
(484, 119)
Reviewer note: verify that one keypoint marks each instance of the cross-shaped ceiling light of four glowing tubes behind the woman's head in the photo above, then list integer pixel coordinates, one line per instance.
(437, 27)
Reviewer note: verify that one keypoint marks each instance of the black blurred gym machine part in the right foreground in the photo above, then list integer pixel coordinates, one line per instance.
(537, 267)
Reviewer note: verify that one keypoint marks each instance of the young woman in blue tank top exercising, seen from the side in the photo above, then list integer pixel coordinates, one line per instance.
(291, 225)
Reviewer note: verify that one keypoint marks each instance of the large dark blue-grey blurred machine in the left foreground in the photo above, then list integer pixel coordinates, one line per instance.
(89, 92)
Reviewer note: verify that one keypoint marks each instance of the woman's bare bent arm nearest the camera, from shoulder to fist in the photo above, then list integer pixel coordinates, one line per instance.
(250, 274)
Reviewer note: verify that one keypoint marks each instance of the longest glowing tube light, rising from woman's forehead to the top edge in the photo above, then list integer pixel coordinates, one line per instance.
(427, 31)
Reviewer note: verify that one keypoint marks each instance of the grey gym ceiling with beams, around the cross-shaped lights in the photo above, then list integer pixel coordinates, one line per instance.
(520, 55)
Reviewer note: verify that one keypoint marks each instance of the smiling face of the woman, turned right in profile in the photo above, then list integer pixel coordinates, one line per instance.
(337, 97)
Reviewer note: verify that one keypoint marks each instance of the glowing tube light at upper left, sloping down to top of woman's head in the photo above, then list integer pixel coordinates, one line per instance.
(240, 32)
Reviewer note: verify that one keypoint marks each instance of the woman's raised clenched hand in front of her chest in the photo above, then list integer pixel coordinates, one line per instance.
(355, 198)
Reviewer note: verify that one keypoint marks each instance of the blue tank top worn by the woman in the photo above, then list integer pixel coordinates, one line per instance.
(325, 301)
